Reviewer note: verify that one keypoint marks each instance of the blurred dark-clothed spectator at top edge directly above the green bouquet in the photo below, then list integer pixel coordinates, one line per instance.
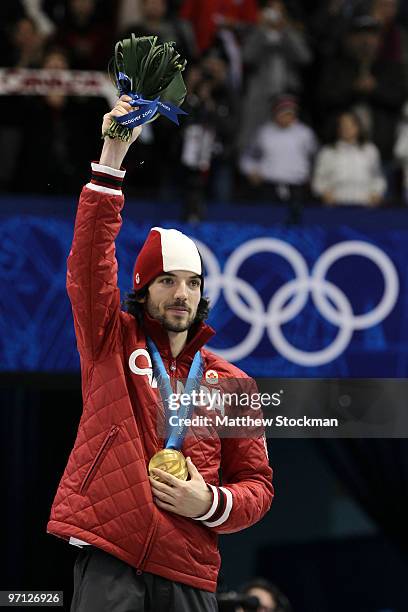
(155, 20)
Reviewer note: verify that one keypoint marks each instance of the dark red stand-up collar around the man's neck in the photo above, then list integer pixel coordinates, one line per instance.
(198, 335)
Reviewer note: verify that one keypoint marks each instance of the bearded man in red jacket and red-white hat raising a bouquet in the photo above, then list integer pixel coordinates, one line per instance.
(148, 539)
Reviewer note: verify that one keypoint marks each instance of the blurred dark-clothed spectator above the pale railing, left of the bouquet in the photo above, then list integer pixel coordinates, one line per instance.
(88, 35)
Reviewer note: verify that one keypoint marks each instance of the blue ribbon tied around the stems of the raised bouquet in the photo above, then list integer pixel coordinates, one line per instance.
(147, 108)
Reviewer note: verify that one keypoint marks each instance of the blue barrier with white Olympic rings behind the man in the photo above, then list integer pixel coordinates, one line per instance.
(285, 302)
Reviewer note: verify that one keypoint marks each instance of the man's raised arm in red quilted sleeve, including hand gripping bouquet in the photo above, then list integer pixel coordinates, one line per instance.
(92, 266)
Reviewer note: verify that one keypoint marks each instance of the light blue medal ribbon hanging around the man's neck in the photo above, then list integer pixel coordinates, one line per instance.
(176, 434)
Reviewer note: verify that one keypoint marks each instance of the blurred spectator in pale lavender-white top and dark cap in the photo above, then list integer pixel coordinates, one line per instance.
(278, 162)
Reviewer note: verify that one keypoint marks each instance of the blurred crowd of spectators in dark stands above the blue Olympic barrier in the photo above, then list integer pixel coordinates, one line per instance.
(297, 102)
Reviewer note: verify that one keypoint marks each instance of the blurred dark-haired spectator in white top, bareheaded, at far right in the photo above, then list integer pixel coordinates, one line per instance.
(348, 171)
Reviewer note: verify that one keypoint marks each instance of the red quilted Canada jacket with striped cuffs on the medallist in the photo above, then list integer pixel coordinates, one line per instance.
(104, 497)
